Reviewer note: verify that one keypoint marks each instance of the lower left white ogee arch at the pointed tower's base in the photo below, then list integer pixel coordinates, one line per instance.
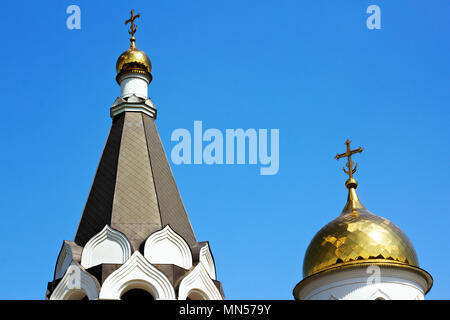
(76, 284)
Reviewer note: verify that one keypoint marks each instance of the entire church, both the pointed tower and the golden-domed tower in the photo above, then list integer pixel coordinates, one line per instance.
(135, 240)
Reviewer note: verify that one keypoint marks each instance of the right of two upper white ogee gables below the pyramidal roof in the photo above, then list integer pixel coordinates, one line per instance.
(167, 247)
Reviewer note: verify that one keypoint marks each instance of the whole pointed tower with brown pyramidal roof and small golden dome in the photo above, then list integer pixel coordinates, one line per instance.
(134, 240)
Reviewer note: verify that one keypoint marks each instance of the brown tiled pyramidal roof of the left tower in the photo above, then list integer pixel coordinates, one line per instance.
(134, 190)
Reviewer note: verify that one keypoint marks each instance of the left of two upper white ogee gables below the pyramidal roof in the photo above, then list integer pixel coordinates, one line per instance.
(107, 246)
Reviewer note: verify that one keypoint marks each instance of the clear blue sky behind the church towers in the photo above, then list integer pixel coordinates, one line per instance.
(308, 68)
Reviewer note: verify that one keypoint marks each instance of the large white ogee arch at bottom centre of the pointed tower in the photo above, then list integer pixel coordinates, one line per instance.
(137, 273)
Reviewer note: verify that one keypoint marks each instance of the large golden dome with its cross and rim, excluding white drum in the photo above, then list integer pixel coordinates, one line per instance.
(358, 239)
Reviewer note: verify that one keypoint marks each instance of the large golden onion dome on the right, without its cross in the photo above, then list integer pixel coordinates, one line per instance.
(357, 236)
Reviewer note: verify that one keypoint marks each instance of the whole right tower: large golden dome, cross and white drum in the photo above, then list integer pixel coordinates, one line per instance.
(361, 256)
